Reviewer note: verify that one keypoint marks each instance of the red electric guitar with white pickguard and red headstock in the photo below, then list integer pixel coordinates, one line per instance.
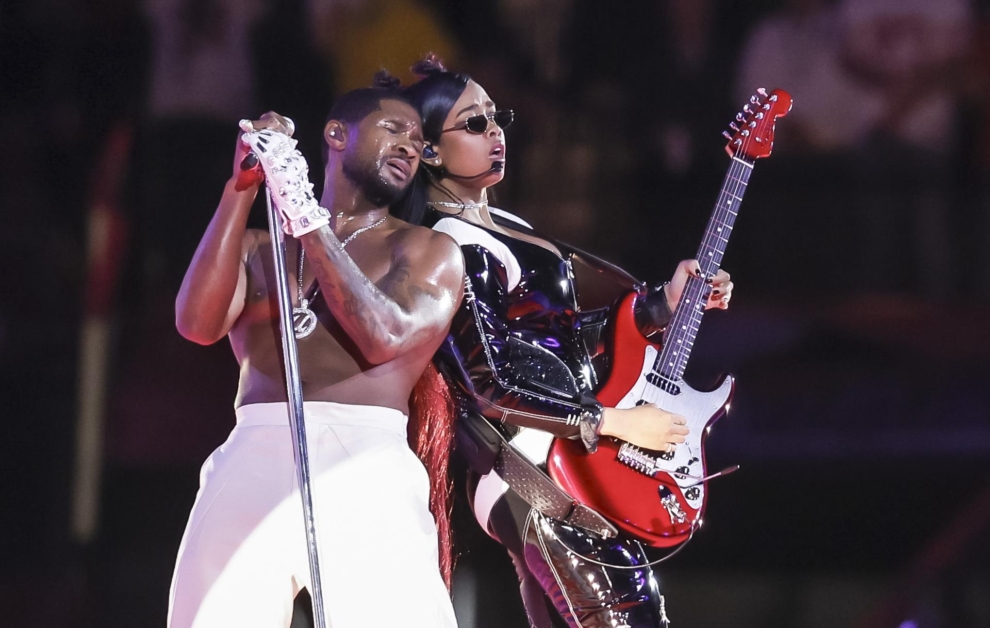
(659, 498)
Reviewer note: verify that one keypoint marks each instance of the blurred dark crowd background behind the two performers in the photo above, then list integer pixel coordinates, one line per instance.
(858, 328)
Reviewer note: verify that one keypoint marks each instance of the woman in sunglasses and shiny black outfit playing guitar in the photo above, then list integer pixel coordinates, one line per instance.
(519, 353)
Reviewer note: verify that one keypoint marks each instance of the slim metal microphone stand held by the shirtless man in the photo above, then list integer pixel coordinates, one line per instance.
(297, 422)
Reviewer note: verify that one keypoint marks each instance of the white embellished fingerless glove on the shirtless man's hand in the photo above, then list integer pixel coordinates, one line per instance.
(287, 174)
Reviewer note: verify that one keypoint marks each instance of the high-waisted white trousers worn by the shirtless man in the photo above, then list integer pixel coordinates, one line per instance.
(243, 556)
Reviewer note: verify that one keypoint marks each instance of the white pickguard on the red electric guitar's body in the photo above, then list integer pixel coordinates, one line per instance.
(697, 407)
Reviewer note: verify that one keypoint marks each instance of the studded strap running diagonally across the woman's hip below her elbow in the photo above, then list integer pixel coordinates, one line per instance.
(533, 485)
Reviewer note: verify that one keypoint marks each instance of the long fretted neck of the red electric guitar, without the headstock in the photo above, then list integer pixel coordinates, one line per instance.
(683, 328)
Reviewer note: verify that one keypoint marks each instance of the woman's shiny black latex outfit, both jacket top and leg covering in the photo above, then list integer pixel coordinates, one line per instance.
(522, 358)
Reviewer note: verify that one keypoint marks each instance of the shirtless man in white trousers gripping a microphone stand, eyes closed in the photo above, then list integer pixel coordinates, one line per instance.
(384, 306)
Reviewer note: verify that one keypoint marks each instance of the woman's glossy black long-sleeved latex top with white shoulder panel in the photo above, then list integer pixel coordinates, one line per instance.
(524, 355)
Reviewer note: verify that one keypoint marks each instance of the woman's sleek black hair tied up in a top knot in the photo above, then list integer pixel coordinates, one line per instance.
(433, 96)
